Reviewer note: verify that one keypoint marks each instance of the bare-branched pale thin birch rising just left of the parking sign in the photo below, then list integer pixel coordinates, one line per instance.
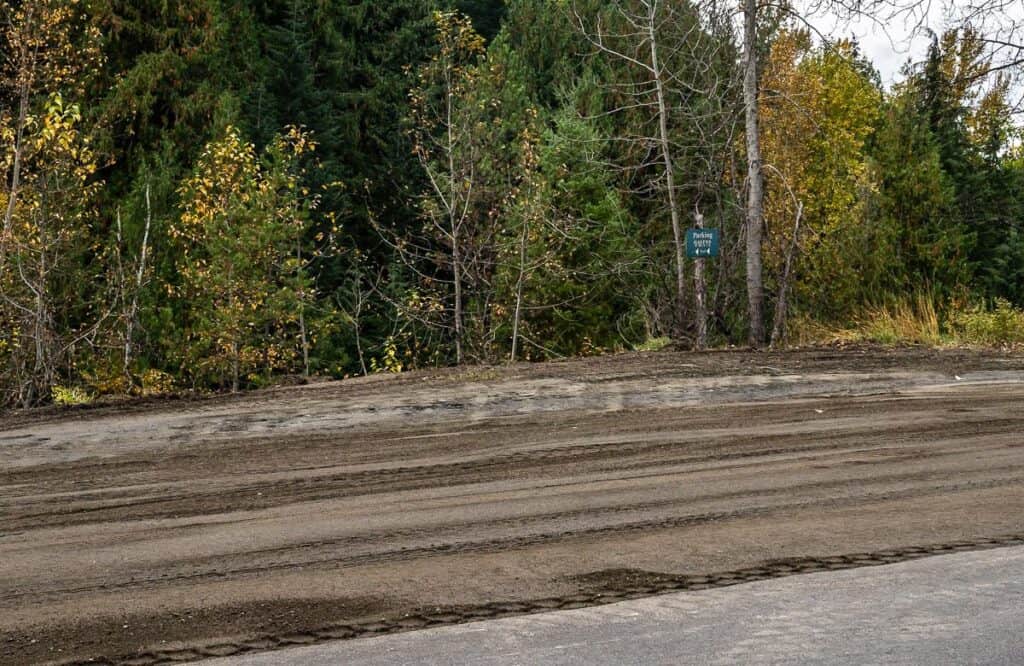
(673, 57)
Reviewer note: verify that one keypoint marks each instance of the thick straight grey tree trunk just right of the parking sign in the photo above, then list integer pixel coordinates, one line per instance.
(755, 201)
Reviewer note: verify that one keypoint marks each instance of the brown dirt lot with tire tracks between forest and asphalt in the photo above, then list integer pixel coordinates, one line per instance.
(167, 531)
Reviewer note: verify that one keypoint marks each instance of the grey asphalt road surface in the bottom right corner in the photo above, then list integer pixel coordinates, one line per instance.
(961, 609)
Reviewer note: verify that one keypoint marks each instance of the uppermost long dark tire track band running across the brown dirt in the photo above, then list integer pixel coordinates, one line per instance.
(757, 450)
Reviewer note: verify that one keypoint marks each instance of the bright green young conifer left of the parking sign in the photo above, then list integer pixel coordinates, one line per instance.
(582, 255)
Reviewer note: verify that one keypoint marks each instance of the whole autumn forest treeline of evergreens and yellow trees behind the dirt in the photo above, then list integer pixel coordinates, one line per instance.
(223, 194)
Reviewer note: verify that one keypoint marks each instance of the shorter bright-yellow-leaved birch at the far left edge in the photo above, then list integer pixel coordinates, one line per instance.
(46, 242)
